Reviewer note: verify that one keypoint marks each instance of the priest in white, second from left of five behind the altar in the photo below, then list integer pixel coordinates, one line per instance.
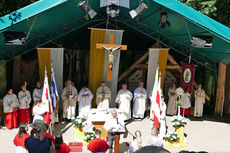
(84, 102)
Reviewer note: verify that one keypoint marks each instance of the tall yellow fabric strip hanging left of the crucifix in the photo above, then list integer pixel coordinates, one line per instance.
(97, 61)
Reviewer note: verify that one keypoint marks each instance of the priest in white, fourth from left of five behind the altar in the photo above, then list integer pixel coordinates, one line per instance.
(123, 99)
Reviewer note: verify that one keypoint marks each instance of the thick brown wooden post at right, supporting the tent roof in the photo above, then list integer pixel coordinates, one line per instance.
(220, 90)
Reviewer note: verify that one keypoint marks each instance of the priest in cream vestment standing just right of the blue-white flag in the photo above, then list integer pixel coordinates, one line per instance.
(69, 98)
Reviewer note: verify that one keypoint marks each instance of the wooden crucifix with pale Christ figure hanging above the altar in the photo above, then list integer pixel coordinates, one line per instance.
(111, 47)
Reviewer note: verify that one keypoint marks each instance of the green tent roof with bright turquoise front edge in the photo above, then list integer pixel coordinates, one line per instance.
(47, 21)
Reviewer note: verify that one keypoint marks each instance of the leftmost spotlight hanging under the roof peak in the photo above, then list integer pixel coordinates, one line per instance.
(87, 10)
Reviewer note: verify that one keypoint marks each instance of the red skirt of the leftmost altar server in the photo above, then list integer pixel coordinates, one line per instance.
(11, 119)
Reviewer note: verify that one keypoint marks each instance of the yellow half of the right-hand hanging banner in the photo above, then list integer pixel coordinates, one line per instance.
(162, 60)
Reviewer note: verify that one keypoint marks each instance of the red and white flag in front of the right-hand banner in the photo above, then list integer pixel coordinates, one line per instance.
(157, 105)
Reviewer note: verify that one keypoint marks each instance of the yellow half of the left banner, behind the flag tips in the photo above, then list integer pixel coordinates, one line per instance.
(44, 59)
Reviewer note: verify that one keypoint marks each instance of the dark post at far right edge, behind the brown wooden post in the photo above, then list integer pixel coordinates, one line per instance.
(227, 91)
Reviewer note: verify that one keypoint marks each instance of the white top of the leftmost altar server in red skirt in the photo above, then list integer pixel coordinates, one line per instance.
(9, 103)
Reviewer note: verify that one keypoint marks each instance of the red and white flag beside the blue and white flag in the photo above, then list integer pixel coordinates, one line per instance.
(46, 99)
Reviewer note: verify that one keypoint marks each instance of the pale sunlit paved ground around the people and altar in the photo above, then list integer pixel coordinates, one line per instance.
(202, 135)
